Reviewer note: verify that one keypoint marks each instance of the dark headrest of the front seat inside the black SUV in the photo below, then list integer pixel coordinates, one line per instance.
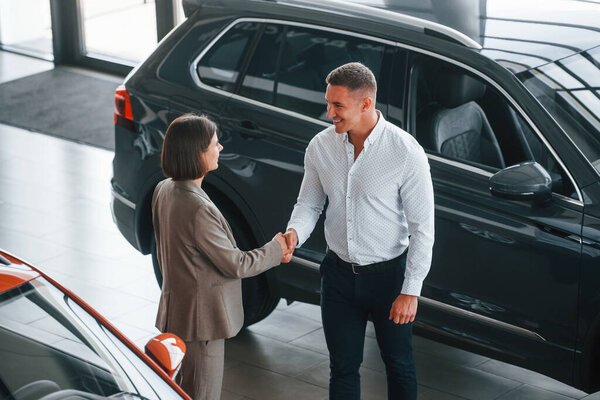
(454, 88)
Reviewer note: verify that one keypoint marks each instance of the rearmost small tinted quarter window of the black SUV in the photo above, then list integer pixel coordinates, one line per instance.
(220, 67)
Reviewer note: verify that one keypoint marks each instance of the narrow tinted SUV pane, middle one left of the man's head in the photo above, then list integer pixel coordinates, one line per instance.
(259, 80)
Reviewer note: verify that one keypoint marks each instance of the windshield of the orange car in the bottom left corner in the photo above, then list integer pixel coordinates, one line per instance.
(49, 344)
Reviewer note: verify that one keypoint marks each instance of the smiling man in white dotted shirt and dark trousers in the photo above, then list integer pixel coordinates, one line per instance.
(376, 178)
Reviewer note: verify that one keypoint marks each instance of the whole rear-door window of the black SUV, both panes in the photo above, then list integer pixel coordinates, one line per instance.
(290, 63)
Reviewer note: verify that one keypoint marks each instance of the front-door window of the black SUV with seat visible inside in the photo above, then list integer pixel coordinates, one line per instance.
(457, 115)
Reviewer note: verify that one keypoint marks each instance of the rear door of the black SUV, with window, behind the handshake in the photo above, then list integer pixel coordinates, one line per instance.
(278, 107)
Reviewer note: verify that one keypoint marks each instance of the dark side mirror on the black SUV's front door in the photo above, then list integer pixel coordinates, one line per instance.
(525, 181)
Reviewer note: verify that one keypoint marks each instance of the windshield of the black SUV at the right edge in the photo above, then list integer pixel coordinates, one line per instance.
(570, 90)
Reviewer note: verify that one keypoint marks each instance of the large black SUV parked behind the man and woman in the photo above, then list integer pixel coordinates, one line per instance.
(509, 116)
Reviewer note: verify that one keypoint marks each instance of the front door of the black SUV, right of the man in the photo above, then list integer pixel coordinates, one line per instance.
(505, 273)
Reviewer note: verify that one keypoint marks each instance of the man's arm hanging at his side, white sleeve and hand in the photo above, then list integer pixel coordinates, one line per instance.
(417, 198)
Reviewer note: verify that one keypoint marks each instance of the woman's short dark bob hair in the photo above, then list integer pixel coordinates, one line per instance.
(186, 139)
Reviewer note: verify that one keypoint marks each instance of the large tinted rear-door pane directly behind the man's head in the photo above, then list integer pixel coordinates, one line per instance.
(308, 56)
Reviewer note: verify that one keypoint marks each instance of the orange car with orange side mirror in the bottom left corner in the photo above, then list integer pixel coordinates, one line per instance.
(53, 346)
